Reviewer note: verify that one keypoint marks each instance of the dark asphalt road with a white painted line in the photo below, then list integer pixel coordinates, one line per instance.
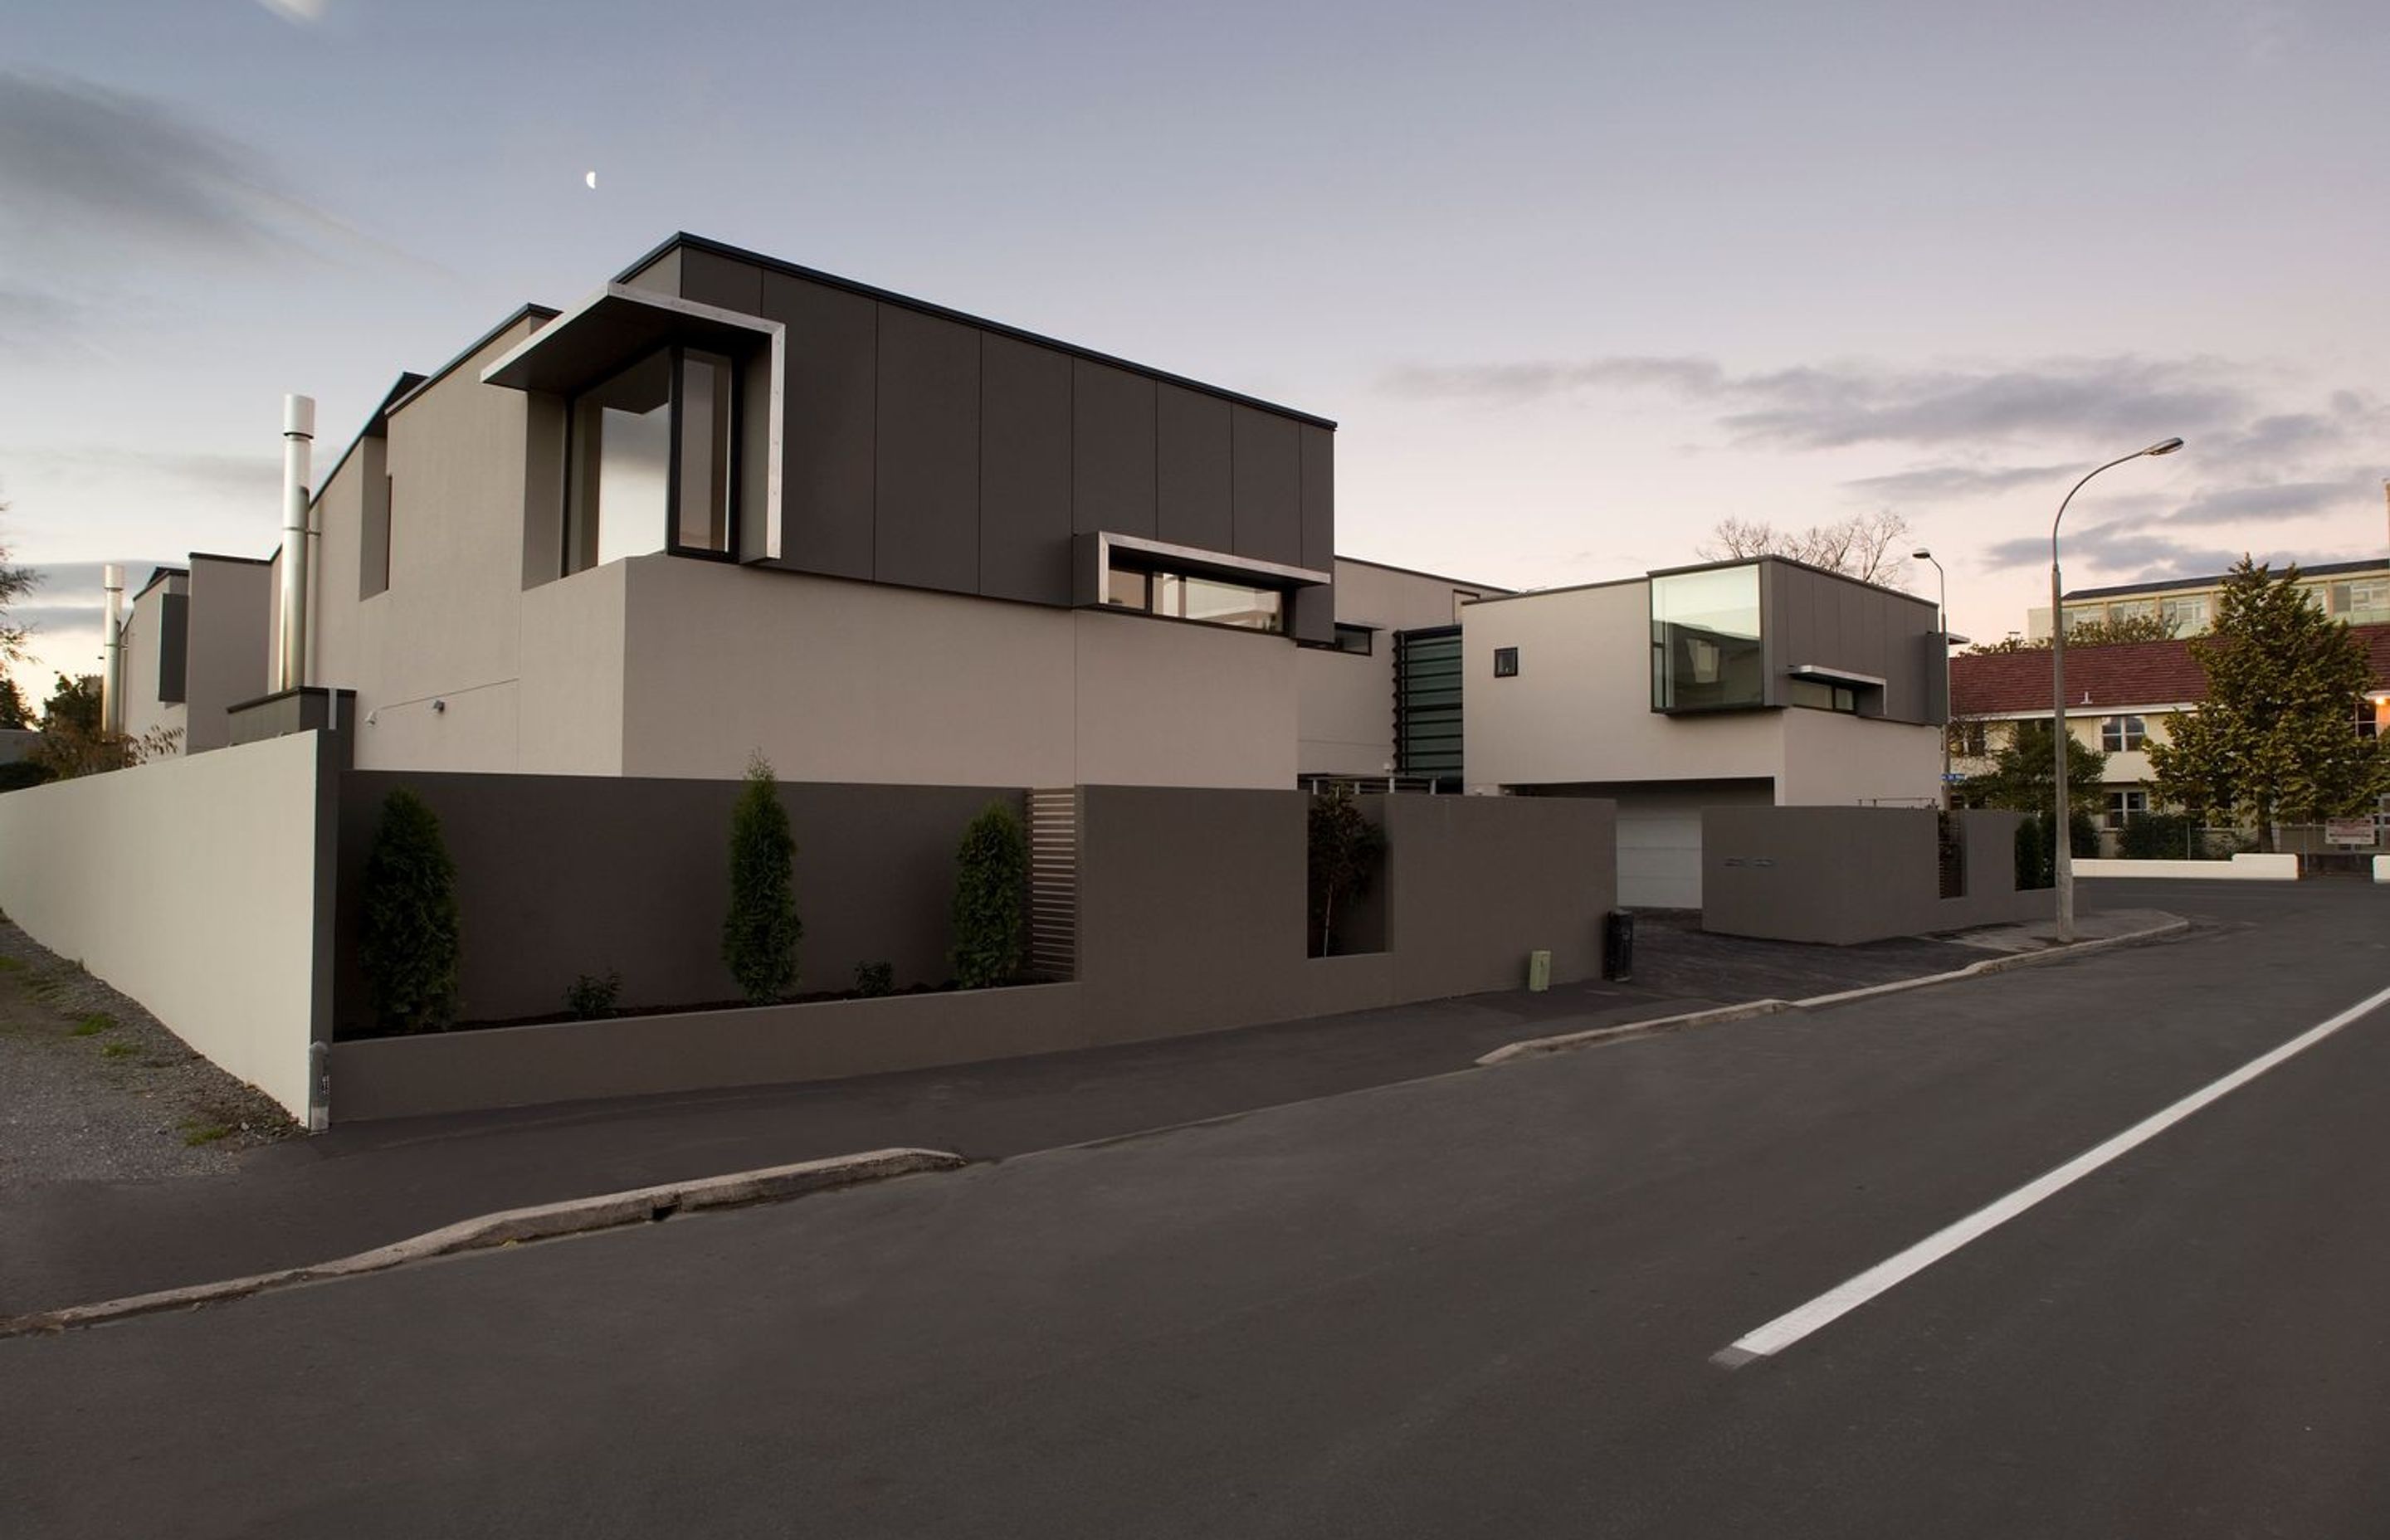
(1478, 1304)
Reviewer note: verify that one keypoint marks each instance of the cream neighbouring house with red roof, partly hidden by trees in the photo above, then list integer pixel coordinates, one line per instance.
(2119, 699)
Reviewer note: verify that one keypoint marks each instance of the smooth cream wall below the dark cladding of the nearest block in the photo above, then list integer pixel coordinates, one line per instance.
(869, 683)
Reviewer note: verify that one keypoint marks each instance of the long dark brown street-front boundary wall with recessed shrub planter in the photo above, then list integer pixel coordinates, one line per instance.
(1191, 919)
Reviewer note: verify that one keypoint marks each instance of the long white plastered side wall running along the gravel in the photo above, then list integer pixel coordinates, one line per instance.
(190, 886)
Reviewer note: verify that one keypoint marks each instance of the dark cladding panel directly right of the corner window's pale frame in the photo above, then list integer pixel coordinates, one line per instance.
(831, 410)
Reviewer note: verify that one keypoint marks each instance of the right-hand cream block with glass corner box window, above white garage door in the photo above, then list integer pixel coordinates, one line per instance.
(1755, 683)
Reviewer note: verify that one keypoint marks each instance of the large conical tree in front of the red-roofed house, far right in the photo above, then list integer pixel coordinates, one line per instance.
(2276, 738)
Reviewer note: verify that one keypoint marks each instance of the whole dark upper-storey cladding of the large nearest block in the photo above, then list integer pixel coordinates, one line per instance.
(945, 456)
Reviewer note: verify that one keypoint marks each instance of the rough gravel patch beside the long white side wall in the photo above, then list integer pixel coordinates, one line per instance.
(92, 1089)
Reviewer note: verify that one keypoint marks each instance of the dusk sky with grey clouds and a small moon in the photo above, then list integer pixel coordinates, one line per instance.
(1576, 281)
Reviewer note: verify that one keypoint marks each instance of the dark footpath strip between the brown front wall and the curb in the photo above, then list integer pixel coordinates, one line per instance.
(372, 1185)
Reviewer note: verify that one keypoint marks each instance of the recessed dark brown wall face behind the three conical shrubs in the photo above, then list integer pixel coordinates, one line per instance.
(580, 874)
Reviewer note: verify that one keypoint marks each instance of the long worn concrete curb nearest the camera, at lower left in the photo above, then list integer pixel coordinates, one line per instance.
(505, 1228)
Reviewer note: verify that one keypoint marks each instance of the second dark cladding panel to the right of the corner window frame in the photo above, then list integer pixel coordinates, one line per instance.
(929, 527)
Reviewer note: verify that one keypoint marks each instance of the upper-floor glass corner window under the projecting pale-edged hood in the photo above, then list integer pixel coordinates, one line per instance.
(654, 460)
